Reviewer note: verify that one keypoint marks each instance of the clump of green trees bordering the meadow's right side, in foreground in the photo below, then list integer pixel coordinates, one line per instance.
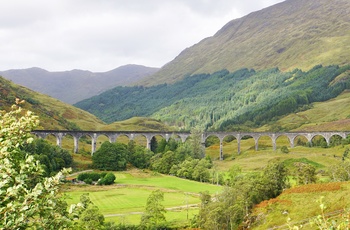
(228, 209)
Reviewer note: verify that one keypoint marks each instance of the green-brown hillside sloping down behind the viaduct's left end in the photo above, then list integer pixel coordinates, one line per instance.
(54, 114)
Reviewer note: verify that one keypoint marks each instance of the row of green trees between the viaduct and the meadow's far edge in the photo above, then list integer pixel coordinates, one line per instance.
(185, 160)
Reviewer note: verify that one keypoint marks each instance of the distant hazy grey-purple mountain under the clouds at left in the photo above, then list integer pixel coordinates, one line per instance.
(76, 85)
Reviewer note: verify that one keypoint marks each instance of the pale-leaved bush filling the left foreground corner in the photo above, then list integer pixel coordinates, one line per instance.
(27, 199)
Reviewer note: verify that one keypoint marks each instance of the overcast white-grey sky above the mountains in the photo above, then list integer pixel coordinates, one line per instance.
(100, 35)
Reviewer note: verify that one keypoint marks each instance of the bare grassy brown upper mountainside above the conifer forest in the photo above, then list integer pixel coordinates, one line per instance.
(292, 34)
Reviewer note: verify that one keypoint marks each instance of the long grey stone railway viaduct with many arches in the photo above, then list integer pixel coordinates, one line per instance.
(112, 136)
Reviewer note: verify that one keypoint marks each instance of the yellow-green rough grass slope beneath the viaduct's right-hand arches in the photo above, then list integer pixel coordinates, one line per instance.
(251, 160)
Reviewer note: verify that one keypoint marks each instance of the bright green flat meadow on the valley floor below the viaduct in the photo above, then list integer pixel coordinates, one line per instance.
(125, 201)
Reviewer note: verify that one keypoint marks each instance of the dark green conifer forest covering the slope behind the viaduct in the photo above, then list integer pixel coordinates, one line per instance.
(223, 100)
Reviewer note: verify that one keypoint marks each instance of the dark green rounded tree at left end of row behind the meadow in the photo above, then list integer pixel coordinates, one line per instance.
(111, 156)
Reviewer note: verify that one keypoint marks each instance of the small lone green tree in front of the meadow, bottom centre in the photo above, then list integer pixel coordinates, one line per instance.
(153, 217)
